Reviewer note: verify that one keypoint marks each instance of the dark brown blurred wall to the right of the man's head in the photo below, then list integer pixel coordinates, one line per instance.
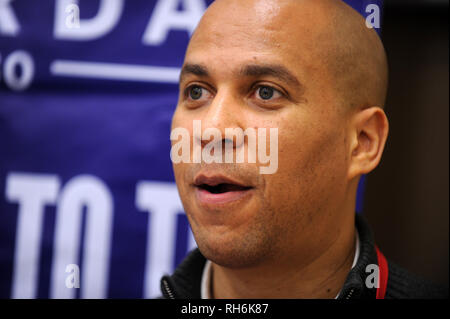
(407, 196)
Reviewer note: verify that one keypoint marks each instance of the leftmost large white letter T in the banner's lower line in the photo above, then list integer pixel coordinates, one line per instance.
(32, 192)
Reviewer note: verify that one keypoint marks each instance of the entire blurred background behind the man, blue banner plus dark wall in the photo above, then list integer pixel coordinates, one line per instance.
(86, 183)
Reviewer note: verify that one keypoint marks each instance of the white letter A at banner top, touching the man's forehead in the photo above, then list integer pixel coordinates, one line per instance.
(166, 17)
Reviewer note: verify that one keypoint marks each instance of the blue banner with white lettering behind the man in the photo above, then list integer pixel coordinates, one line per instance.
(87, 92)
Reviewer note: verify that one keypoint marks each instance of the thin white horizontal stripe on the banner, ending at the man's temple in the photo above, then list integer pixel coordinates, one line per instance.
(114, 71)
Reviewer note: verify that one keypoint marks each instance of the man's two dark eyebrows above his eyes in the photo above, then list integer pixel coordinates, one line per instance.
(250, 70)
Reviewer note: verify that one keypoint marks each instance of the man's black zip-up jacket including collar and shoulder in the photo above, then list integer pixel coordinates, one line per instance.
(185, 281)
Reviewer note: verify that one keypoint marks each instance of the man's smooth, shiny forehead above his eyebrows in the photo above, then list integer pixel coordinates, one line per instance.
(234, 33)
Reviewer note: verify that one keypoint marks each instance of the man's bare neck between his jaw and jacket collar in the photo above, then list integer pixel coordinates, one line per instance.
(322, 277)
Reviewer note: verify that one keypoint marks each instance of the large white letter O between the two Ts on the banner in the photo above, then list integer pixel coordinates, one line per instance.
(88, 191)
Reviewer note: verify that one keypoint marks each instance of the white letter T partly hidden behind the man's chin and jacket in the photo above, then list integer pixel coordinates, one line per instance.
(163, 203)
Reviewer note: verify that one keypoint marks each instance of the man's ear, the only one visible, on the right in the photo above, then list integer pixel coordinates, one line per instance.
(369, 131)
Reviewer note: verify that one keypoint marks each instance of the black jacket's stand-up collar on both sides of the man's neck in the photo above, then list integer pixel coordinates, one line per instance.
(185, 283)
